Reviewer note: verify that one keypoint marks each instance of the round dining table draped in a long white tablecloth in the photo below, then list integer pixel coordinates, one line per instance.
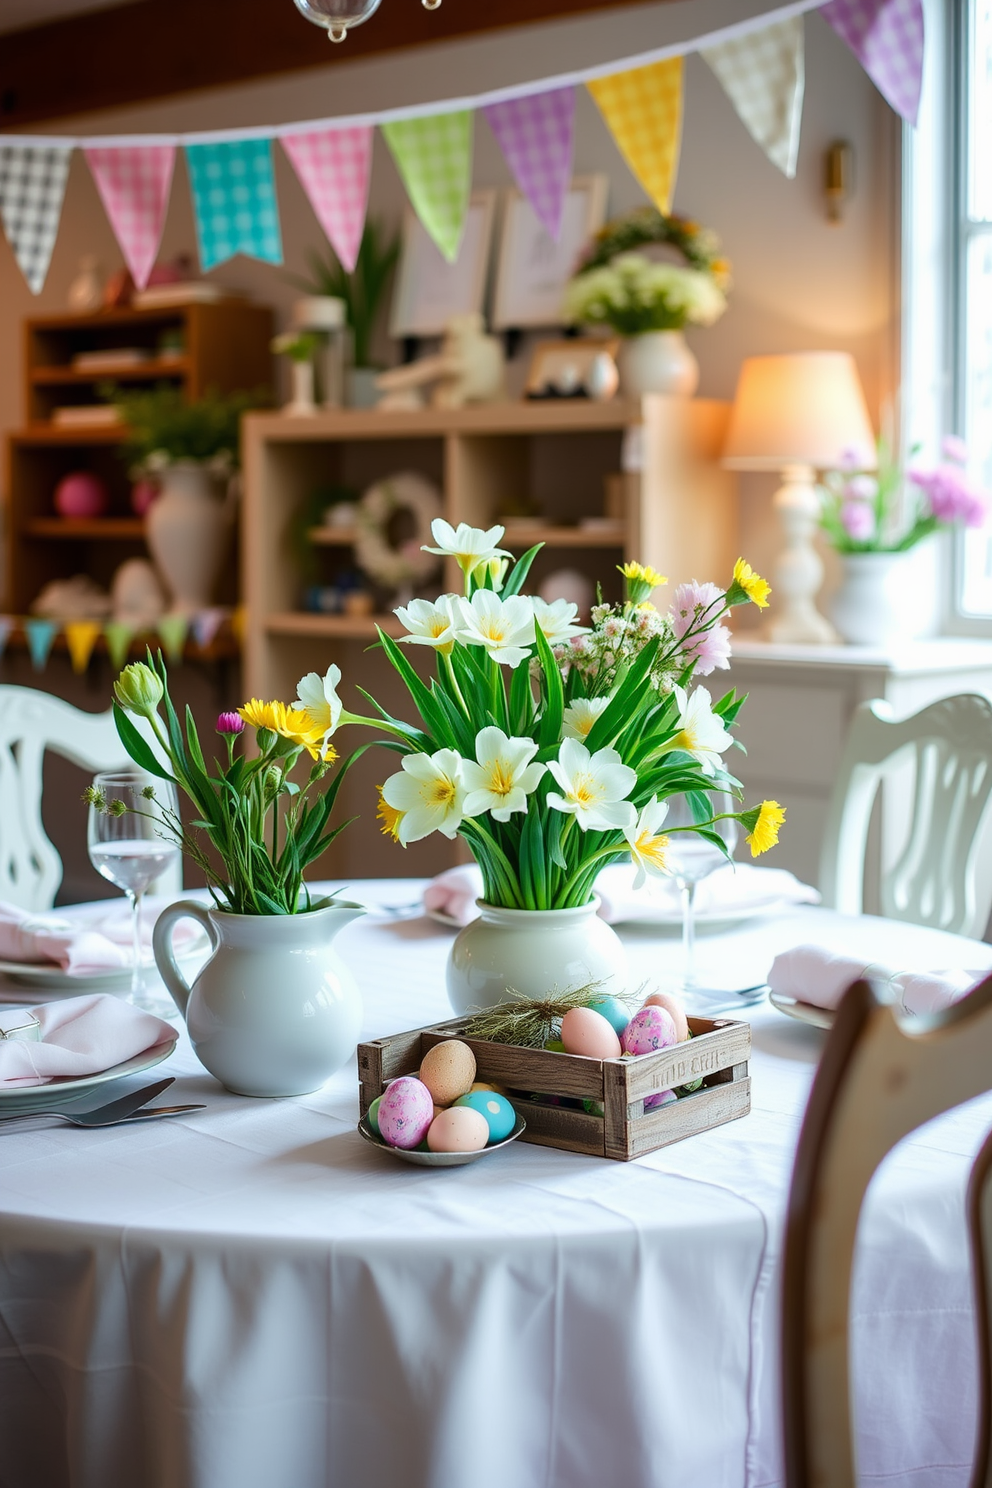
(252, 1297)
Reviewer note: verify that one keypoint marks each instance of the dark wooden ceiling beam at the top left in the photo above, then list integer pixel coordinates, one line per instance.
(160, 48)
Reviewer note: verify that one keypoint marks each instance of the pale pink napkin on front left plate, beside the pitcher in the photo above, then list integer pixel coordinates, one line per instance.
(81, 1036)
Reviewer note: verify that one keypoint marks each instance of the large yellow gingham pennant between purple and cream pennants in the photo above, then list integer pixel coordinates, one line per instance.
(645, 114)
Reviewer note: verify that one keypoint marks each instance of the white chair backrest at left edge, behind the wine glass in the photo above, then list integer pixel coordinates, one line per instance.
(30, 724)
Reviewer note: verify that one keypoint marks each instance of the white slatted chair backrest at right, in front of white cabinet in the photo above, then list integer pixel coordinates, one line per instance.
(933, 882)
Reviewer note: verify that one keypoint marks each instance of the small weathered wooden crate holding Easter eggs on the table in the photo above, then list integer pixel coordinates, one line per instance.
(718, 1054)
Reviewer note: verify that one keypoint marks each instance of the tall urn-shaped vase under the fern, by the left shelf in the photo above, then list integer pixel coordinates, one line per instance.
(188, 530)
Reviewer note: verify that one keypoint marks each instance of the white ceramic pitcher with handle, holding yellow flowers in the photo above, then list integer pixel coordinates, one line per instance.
(274, 1011)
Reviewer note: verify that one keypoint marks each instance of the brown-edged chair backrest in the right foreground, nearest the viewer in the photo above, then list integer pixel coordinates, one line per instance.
(881, 1077)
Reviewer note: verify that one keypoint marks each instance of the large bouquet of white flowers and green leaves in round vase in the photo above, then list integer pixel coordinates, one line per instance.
(553, 748)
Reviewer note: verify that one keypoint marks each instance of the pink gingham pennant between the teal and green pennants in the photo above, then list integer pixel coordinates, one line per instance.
(334, 167)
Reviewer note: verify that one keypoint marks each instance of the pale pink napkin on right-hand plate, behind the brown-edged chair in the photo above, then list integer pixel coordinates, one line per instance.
(810, 974)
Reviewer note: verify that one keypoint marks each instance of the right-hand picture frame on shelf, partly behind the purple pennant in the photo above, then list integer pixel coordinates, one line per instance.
(533, 270)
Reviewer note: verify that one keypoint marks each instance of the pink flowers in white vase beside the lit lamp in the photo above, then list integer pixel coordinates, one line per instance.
(889, 511)
